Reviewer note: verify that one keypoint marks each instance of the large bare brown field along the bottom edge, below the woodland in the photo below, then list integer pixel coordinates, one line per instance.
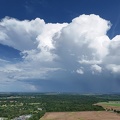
(90, 115)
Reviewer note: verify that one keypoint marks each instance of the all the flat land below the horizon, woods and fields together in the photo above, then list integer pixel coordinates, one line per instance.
(51, 106)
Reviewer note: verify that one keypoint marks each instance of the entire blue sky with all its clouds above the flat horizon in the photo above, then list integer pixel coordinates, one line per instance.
(60, 46)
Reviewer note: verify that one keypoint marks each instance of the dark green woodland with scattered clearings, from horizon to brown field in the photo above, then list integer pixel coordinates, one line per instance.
(15, 104)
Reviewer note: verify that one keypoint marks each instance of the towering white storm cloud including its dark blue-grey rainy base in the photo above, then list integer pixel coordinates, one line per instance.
(78, 54)
